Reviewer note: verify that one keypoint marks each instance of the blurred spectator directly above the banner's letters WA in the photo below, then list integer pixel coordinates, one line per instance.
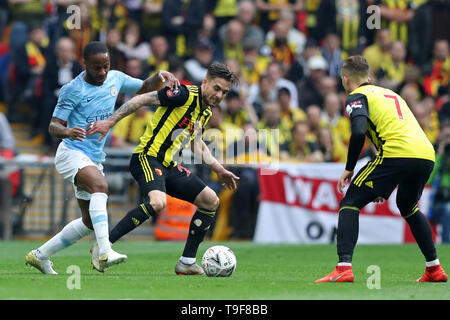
(299, 149)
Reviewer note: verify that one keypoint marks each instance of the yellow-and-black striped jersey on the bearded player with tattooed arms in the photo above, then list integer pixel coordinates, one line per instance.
(175, 123)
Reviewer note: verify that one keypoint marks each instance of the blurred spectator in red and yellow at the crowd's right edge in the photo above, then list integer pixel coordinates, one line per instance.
(437, 71)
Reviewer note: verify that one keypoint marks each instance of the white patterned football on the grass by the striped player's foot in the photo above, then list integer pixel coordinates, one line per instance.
(219, 261)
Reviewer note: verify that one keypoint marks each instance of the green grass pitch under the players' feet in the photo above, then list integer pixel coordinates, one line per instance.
(264, 272)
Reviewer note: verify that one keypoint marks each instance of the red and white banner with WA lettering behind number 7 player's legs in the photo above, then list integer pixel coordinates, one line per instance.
(299, 203)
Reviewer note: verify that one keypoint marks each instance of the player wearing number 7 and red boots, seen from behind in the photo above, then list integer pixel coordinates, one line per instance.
(405, 158)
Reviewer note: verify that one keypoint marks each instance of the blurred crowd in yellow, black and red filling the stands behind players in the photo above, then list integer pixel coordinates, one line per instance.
(287, 55)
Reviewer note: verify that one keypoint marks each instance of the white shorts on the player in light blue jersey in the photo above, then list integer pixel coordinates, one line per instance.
(68, 162)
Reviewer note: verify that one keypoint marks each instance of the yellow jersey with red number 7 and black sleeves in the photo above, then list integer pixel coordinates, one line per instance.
(392, 127)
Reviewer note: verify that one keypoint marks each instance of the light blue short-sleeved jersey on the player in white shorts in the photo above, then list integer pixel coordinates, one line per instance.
(81, 103)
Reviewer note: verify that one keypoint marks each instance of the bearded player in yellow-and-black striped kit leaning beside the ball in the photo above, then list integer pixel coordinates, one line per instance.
(182, 114)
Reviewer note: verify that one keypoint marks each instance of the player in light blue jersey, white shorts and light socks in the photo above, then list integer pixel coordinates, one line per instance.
(90, 97)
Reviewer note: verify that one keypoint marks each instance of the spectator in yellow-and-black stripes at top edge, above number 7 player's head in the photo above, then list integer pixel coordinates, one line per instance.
(346, 19)
